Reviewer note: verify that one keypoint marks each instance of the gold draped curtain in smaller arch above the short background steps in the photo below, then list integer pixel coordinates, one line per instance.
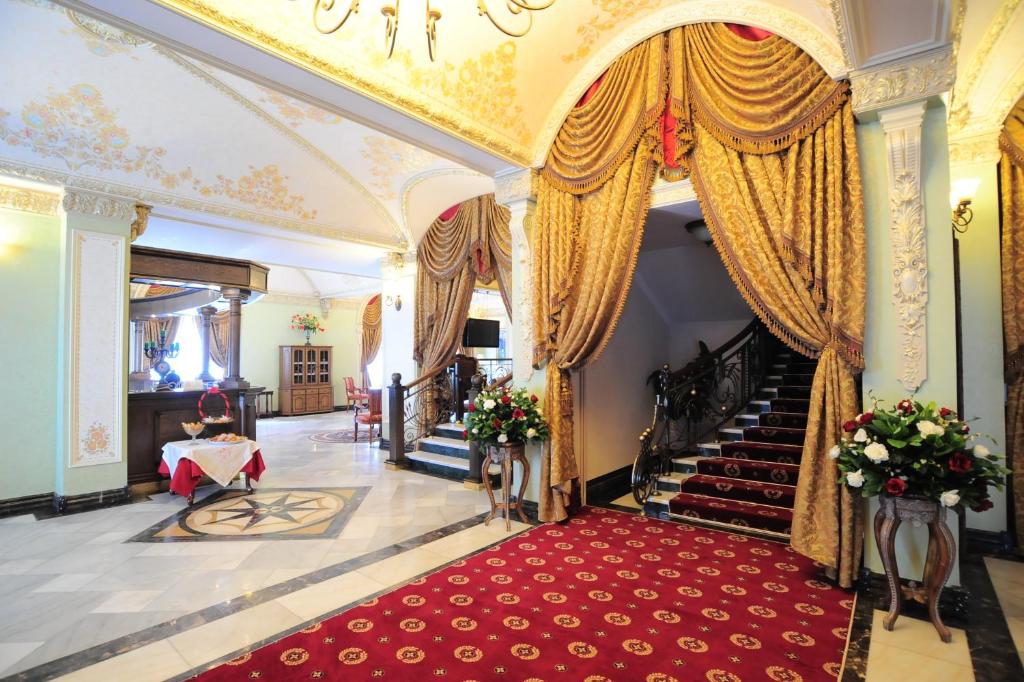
(475, 244)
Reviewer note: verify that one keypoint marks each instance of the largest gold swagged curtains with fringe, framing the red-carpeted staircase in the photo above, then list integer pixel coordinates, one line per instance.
(770, 140)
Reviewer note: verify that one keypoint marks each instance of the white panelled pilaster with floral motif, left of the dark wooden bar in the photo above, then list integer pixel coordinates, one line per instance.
(93, 346)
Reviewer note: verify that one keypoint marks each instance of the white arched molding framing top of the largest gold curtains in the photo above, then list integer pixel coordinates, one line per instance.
(793, 27)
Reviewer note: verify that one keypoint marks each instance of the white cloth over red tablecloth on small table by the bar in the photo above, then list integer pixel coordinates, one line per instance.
(186, 462)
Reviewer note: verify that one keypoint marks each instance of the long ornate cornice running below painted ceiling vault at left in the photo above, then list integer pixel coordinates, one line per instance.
(40, 175)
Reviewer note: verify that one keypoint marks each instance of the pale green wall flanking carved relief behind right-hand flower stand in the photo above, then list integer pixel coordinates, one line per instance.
(881, 340)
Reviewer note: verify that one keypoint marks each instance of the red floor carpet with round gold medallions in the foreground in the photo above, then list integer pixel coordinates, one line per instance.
(609, 596)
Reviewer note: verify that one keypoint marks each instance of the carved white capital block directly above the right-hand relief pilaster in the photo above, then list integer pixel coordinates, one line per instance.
(904, 81)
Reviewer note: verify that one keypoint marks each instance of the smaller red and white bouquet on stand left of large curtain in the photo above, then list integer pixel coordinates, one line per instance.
(504, 417)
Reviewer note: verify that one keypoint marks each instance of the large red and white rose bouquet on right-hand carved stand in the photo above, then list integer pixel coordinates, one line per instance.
(918, 450)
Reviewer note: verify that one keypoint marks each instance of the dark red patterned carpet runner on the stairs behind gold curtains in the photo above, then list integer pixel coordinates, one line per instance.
(753, 484)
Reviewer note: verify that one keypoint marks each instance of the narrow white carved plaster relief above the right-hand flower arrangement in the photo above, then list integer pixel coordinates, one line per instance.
(907, 235)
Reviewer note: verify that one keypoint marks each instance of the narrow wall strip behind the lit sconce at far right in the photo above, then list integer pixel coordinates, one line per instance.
(983, 323)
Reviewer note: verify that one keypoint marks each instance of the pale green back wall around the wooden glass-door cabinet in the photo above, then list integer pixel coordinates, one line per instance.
(266, 327)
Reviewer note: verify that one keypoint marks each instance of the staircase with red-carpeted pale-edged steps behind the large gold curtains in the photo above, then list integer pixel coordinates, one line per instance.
(746, 481)
